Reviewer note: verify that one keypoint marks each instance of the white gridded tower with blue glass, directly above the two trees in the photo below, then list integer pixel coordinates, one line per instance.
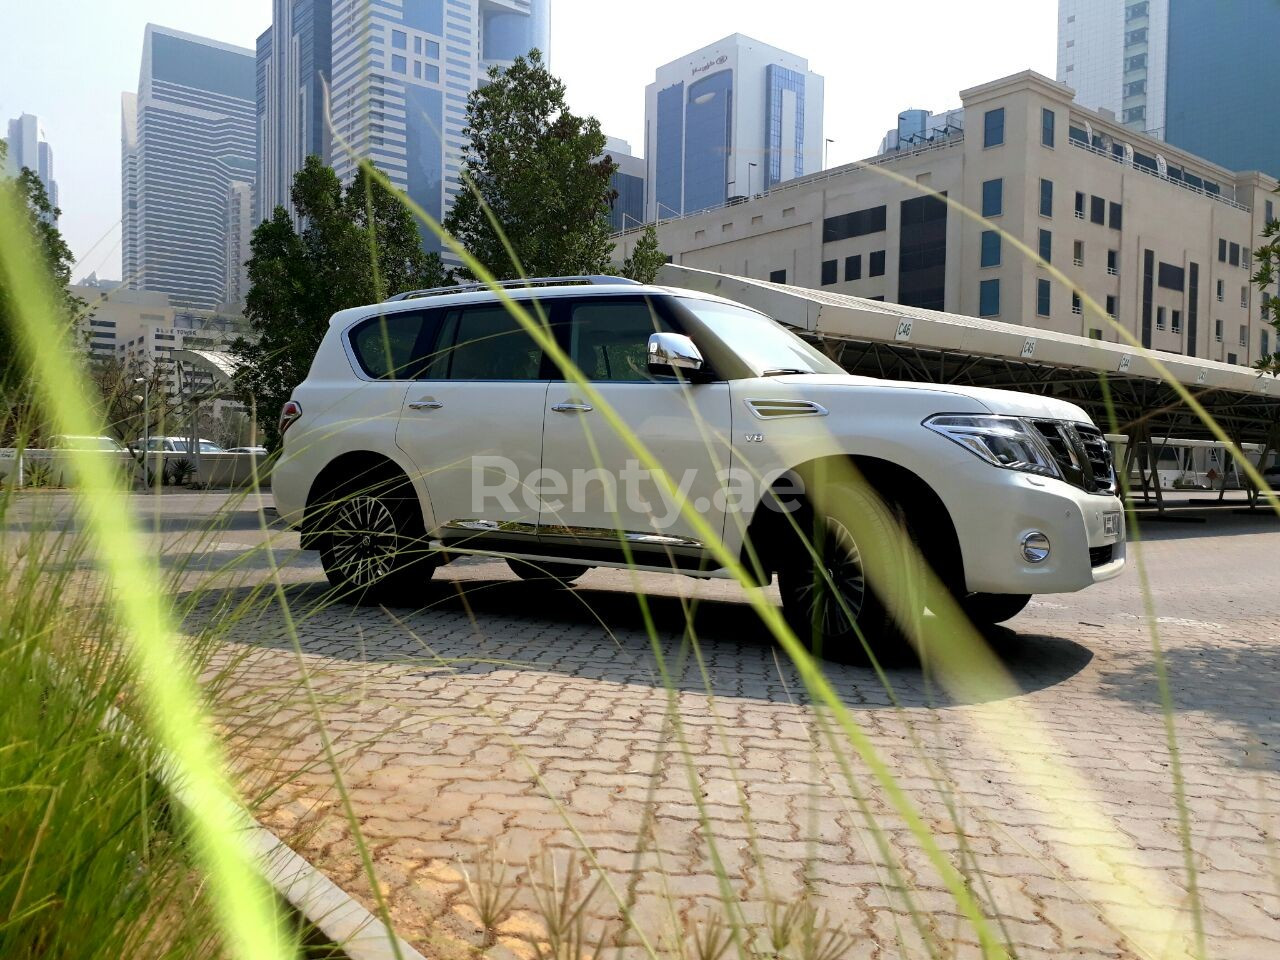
(403, 71)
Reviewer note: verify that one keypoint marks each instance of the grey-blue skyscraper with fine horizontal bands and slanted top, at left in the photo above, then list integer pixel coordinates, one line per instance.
(188, 143)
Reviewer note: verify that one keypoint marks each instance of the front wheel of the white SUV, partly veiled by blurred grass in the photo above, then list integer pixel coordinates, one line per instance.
(877, 572)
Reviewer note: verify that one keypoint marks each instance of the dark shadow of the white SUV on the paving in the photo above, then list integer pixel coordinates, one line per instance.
(486, 627)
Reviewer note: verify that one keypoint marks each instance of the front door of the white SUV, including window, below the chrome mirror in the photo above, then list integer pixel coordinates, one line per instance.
(607, 492)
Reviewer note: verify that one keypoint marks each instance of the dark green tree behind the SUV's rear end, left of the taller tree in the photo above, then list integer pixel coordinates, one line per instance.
(358, 246)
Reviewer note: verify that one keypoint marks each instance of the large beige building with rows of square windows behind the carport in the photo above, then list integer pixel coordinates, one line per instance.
(1158, 237)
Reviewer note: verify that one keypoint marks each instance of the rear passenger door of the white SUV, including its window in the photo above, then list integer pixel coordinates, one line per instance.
(473, 426)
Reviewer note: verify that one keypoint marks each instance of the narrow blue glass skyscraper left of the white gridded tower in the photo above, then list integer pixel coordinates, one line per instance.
(294, 71)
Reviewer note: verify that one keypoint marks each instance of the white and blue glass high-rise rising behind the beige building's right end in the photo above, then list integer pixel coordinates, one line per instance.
(1196, 75)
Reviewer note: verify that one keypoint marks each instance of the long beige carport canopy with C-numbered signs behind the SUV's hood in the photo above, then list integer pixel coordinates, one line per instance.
(1122, 387)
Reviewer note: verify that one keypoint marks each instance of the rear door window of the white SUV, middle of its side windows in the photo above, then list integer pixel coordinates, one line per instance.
(486, 344)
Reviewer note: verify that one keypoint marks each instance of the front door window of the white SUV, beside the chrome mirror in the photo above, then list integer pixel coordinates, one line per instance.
(610, 339)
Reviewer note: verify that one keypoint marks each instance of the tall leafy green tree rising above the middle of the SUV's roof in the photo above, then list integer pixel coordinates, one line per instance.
(540, 171)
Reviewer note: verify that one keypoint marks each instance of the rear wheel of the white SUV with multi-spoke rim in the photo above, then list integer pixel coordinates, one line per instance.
(373, 546)
